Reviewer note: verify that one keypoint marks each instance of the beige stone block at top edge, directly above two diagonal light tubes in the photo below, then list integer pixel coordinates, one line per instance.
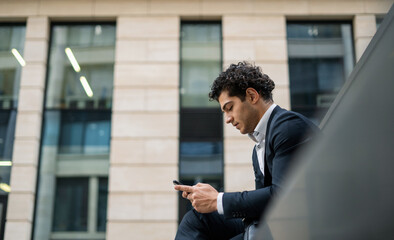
(67, 8)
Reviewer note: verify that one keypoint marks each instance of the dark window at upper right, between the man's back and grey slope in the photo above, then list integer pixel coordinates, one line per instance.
(320, 59)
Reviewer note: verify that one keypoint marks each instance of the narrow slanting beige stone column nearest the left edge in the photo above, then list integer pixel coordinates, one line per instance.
(28, 131)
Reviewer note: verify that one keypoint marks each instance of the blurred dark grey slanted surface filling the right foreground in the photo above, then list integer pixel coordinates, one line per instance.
(344, 186)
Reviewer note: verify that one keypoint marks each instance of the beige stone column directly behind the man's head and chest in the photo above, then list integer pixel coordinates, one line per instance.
(261, 40)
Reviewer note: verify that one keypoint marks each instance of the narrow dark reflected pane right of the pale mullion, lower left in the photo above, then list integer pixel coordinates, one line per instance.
(102, 205)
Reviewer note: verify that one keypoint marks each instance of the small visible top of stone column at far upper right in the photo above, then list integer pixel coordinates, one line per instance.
(364, 30)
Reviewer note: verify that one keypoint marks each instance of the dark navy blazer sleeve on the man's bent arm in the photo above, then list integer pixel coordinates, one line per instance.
(287, 135)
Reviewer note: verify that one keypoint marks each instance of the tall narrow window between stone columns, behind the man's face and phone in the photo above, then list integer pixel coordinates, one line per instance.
(201, 127)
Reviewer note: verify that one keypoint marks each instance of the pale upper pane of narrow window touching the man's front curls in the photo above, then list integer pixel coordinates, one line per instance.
(200, 62)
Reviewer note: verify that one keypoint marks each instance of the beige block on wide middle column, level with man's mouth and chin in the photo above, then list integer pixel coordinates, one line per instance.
(144, 125)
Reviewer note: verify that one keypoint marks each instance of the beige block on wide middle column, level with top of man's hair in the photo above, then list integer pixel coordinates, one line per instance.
(147, 74)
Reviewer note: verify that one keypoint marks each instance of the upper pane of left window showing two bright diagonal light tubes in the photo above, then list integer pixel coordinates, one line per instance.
(81, 67)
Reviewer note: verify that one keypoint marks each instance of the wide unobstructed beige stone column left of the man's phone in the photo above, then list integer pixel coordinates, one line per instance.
(144, 148)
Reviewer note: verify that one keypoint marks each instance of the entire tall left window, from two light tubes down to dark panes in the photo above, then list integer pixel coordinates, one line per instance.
(74, 159)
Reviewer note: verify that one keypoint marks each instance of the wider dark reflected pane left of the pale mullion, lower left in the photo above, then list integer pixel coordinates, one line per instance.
(71, 204)
